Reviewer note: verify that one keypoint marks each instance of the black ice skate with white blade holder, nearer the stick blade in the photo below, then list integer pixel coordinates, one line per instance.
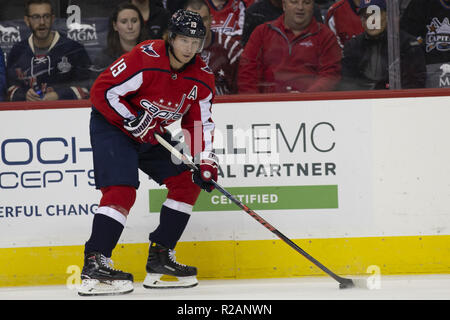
(161, 261)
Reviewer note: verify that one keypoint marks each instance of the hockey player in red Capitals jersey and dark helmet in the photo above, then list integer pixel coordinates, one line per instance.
(157, 83)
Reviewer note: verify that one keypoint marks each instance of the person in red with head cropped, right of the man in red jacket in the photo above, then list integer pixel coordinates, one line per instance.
(342, 18)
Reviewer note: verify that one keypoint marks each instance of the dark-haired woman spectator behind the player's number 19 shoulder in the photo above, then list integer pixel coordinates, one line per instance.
(126, 29)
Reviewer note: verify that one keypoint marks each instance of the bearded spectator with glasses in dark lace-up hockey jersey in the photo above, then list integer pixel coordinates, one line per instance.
(47, 65)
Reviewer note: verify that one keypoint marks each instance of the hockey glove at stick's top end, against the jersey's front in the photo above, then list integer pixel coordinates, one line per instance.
(144, 127)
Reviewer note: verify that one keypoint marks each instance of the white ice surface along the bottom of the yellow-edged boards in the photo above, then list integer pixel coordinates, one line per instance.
(404, 287)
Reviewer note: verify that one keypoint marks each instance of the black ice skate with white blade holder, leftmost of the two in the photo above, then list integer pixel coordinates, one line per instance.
(100, 278)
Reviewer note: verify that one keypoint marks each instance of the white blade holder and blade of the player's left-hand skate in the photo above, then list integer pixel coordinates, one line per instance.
(94, 287)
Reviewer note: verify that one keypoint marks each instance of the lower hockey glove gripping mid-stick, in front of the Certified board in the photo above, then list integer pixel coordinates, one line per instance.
(207, 164)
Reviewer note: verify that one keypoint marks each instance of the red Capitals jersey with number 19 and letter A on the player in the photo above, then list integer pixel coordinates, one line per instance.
(143, 79)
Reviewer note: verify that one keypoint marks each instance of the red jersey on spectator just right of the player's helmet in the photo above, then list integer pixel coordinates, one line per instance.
(230, 18)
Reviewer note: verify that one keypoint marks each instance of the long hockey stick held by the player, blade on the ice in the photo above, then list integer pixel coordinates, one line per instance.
(343, 282)
